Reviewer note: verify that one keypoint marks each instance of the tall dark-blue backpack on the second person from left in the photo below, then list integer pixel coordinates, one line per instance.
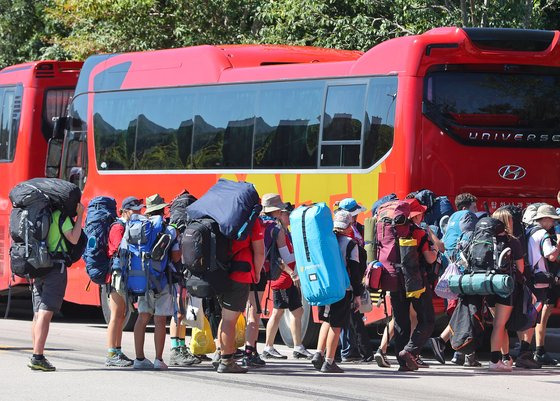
(101, 215)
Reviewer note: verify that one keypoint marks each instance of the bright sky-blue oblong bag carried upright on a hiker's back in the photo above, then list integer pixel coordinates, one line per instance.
(321, 269)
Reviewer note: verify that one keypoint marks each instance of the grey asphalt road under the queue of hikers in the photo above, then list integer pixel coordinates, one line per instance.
(77, 349)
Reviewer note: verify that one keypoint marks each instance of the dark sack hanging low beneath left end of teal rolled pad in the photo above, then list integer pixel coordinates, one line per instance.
(467, 325)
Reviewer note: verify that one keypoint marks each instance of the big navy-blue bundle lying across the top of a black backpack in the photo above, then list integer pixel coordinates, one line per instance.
(233, 205)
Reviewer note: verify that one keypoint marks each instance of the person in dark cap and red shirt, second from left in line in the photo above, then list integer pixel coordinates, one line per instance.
(117, 291)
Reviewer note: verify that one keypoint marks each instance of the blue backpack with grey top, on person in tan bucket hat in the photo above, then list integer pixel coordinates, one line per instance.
(140, 268)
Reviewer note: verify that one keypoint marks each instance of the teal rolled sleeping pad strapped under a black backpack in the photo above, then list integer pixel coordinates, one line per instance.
(482, 284)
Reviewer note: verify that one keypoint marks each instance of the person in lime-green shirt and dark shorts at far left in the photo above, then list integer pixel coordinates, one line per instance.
(48, 290)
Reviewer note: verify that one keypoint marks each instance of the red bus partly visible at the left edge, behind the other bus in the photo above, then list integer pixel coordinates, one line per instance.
(31, 95)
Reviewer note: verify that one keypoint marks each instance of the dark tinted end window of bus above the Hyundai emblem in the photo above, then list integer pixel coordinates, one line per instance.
(497, 107)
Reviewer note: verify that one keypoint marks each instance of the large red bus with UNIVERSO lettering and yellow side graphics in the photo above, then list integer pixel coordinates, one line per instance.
(452, 110)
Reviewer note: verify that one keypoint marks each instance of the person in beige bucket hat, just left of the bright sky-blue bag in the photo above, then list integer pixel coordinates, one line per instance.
(280, 263)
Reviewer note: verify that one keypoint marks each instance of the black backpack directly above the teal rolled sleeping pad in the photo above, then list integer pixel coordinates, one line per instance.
(486, 251)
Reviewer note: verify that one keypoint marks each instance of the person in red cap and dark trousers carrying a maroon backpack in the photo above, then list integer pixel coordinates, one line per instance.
(407, 345)
